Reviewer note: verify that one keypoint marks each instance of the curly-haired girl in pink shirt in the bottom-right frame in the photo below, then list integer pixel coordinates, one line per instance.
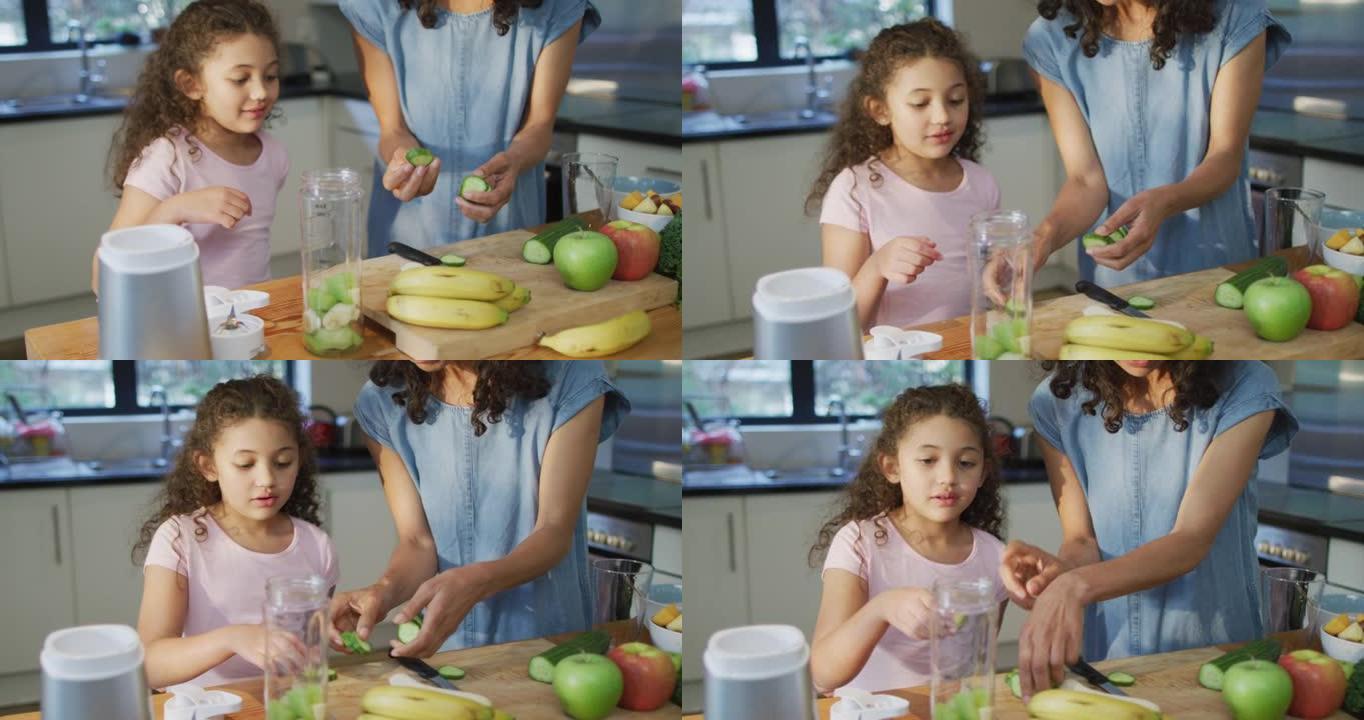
(925, 505)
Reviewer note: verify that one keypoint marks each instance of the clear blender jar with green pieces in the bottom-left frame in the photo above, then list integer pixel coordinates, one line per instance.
(297, 654)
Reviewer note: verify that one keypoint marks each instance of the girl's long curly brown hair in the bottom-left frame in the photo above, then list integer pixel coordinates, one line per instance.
(188, 492)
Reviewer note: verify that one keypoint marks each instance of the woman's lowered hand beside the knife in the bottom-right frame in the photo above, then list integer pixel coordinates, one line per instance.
(1051, 637)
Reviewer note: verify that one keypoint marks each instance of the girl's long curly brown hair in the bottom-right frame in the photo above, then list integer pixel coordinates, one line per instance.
(871, 494)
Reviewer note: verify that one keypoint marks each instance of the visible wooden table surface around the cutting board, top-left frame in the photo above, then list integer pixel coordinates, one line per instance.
(80, 340)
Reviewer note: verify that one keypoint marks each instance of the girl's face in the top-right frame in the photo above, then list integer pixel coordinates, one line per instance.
(927, 107)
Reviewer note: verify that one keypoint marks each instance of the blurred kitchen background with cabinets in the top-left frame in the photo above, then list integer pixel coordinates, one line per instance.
(61, 102)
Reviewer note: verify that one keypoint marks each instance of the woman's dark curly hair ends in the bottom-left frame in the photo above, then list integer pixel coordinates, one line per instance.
(500, 384)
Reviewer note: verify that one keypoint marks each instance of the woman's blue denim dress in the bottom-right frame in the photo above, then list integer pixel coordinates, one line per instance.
(1134, 482)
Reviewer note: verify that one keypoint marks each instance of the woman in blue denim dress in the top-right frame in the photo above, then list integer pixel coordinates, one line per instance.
(1151, 103)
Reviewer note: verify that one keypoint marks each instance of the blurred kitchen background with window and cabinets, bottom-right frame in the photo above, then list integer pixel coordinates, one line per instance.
(781, 440)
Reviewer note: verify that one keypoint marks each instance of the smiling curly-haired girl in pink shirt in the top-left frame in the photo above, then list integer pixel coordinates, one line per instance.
(192, 149)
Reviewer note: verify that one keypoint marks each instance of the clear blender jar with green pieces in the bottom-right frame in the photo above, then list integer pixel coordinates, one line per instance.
(962, 648)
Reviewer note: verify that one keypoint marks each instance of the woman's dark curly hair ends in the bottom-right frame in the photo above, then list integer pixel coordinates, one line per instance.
(1197, 388)
